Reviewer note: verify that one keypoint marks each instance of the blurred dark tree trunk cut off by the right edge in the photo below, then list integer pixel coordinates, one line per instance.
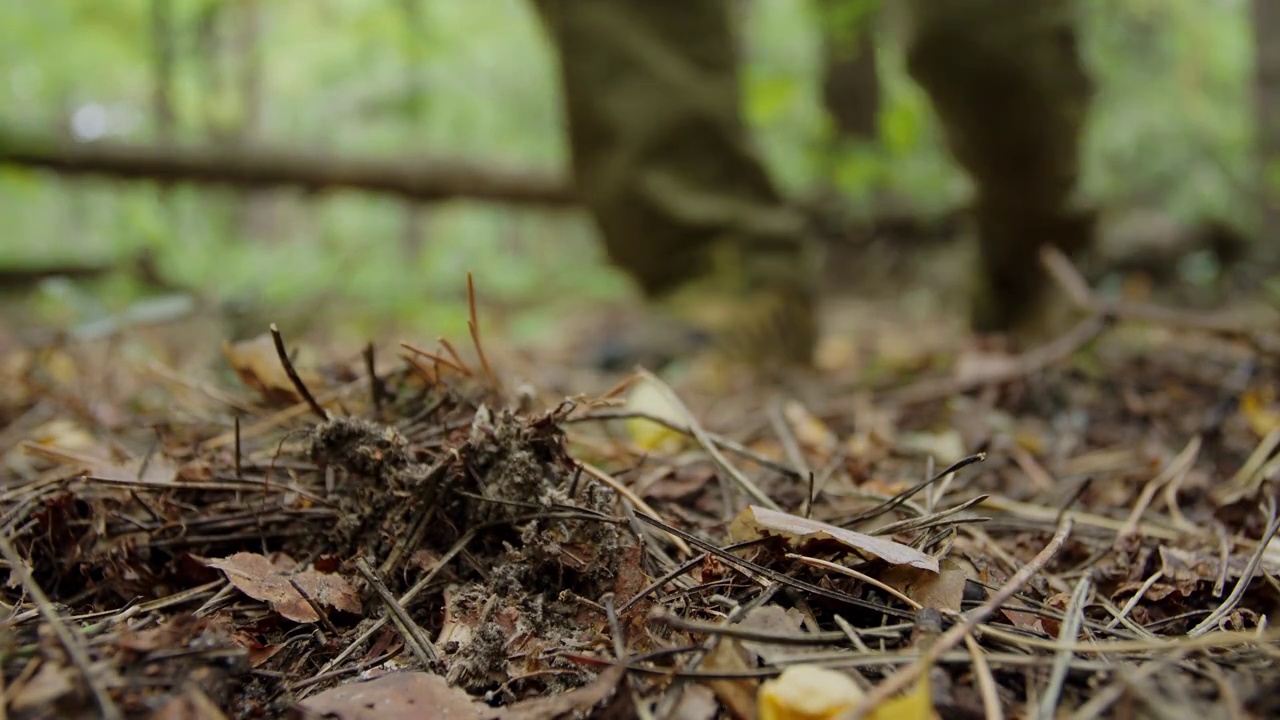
(1267, 108)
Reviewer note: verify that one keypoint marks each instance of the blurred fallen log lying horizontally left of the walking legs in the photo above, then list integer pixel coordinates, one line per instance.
(262, 168)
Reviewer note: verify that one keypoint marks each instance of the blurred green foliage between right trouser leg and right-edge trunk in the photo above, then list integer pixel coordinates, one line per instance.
(1171, 124)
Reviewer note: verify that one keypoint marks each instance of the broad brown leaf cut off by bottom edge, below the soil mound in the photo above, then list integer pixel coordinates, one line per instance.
(397, 696)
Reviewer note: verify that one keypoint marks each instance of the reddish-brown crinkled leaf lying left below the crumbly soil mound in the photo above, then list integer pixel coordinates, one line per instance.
(258, 577)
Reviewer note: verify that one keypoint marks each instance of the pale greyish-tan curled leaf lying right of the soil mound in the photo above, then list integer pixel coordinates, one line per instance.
(757, 522)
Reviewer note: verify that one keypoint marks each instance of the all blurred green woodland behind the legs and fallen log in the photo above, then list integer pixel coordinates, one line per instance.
(452, 81)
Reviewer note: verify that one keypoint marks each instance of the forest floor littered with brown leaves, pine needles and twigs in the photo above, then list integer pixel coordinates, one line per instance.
(1086, 530)
